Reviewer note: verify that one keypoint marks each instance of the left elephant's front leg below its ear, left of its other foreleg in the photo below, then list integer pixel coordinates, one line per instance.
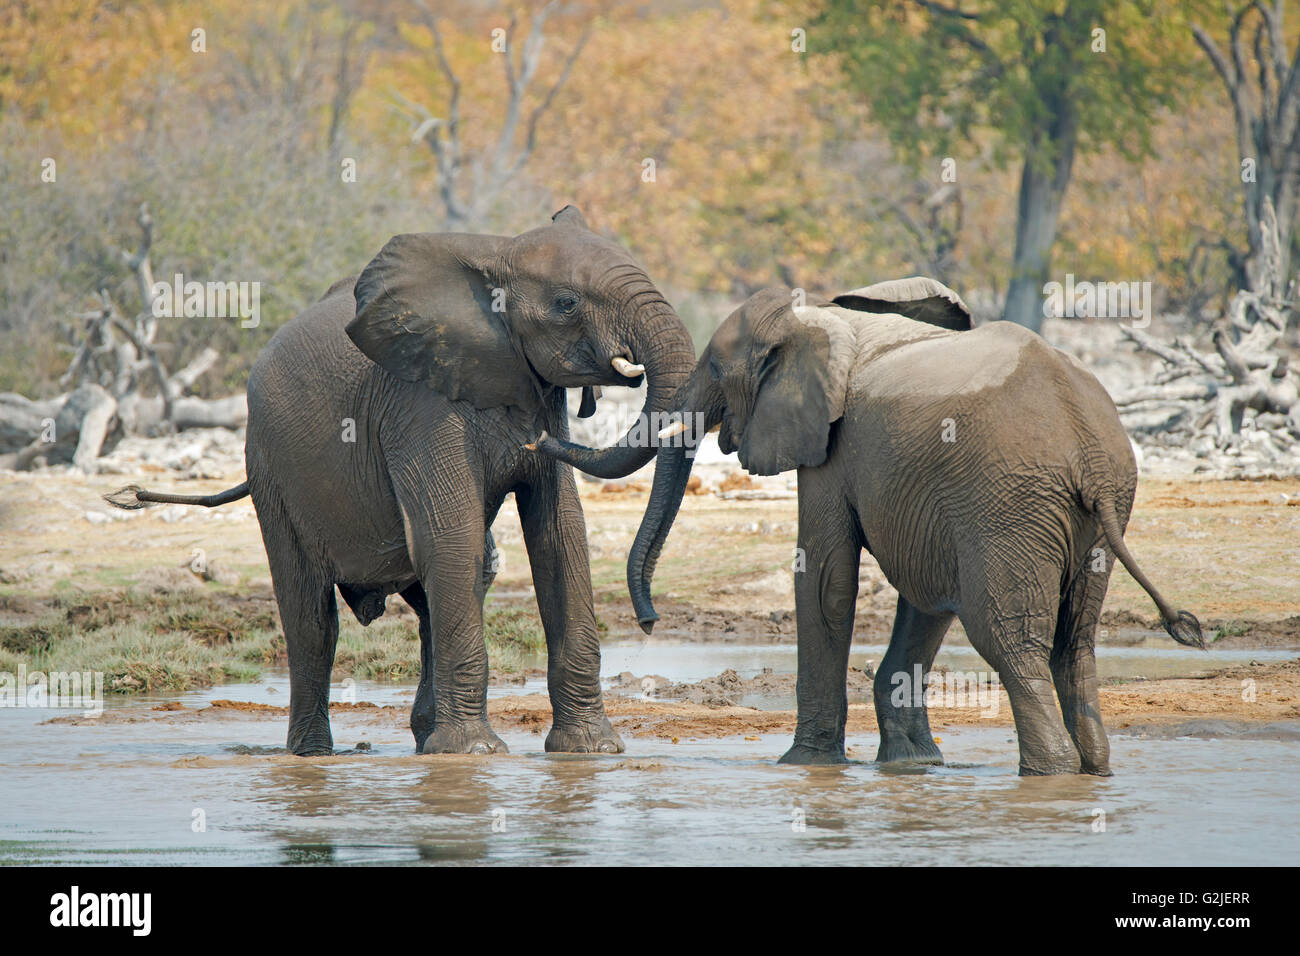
(447, 543)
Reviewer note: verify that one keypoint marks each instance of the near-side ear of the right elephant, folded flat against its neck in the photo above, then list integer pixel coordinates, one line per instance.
(791, 422)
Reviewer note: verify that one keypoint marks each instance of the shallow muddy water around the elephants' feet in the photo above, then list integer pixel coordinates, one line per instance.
(125, 793)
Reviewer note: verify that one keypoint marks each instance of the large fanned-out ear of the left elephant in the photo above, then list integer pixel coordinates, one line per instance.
(424, 313)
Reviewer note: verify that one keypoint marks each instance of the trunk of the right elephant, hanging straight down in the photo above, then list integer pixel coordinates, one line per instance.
(673, 471)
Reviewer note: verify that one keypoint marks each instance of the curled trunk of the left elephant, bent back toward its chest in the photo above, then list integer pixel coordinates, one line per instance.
(662, 344)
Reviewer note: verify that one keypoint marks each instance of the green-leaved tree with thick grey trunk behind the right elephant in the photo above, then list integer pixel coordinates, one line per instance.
(1045, 80)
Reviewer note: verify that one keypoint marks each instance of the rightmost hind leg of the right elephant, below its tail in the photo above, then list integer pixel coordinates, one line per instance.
(1074, 667)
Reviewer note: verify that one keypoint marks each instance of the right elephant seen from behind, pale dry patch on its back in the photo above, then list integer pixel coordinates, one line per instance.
(986, 471)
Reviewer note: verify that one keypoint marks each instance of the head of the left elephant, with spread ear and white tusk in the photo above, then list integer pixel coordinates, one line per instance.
(496, 322)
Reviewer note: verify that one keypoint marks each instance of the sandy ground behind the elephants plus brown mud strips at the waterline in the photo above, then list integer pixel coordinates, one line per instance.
(1228, 551)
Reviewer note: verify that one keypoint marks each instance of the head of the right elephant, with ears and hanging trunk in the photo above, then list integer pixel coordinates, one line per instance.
(774, 379)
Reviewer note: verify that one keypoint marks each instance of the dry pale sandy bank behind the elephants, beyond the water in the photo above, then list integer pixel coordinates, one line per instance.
(1228, 551)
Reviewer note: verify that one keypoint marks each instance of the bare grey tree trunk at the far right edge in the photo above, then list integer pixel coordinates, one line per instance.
(1267, 113)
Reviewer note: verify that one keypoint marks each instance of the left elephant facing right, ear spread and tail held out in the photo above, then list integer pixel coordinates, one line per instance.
(385, 430)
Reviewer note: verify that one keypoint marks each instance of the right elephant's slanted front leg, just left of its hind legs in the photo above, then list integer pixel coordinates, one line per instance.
(900, 700)
